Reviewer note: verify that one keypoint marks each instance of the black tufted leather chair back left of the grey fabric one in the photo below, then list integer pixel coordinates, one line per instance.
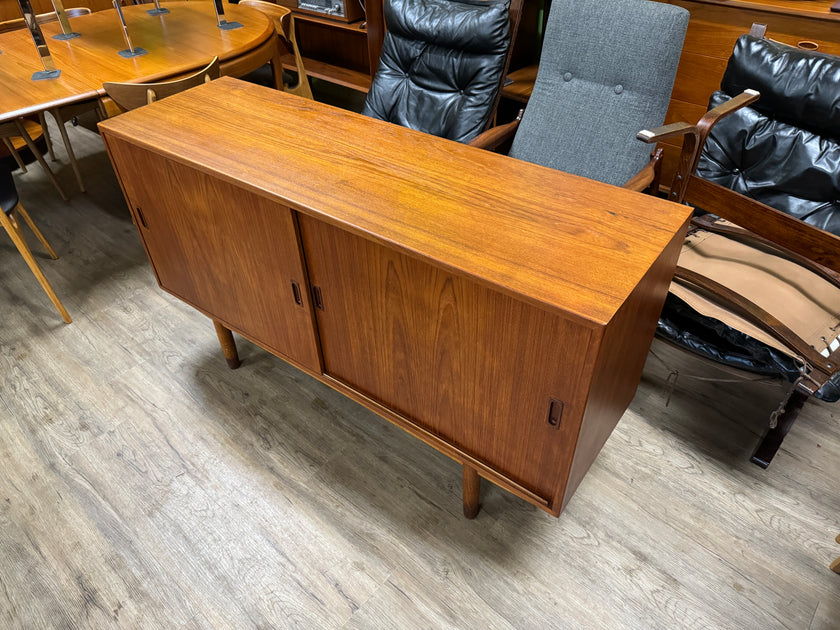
(441, 65)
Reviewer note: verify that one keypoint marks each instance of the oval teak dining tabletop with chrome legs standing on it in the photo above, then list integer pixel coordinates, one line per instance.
(177, 43)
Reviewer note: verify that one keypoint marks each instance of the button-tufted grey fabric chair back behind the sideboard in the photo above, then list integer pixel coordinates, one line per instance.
(606, 72)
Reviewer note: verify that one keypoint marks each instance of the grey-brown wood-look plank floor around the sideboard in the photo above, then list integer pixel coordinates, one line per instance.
(143, 484)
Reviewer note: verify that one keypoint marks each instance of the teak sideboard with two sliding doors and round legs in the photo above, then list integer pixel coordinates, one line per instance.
(498, 310)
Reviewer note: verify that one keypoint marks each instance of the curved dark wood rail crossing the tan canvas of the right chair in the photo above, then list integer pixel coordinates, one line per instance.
(822, 368)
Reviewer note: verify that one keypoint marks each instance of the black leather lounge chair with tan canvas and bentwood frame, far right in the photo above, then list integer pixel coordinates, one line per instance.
(763, 295)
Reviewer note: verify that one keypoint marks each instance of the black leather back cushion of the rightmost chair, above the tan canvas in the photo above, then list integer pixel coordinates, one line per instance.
(784, 150)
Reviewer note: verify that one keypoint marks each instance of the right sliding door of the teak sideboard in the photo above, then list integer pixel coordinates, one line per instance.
(473, 366)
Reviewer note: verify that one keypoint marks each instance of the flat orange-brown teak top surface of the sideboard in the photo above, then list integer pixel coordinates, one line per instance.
(553, 239)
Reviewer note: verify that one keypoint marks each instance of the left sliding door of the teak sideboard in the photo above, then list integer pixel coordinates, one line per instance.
(228, 252)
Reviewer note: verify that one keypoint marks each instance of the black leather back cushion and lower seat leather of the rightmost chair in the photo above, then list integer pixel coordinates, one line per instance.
(783, 151)
